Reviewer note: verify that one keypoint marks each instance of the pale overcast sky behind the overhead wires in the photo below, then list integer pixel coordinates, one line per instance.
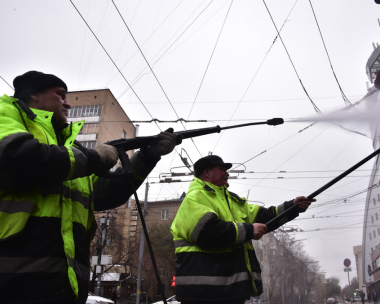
(51, 37)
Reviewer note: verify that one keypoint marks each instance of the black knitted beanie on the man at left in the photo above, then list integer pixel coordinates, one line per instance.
(34, 82)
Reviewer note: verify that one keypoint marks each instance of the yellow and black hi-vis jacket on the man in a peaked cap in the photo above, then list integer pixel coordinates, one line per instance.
(212, 234)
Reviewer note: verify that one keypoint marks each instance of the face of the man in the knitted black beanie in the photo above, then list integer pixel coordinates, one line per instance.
(53, 100)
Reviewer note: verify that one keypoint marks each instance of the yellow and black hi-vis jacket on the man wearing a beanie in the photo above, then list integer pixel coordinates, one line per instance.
(48, 193)
